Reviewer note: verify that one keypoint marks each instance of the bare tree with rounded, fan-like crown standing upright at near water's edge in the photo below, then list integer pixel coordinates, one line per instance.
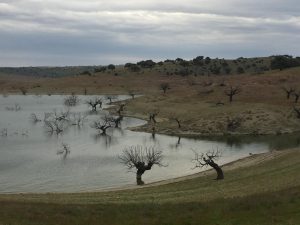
(142, 159)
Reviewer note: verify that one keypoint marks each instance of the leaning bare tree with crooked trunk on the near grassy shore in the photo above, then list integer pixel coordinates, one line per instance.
(207, 159)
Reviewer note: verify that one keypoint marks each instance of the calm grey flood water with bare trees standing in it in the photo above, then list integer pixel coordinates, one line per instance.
(29, 159)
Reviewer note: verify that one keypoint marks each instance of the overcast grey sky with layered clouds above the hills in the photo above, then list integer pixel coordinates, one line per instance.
(94, 32)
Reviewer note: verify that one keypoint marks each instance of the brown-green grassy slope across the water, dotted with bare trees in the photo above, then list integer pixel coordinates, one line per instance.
(262, 105)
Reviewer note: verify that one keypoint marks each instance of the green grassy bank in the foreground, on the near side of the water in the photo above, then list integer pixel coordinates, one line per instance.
(262, 189)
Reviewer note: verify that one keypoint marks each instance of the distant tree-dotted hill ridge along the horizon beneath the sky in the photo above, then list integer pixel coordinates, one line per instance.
(199, 66)
